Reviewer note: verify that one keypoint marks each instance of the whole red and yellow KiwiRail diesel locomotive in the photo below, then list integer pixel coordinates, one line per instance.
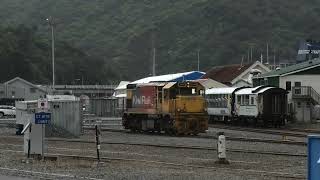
(173, 107)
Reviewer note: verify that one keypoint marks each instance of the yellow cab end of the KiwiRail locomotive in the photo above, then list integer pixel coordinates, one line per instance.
(184, 105)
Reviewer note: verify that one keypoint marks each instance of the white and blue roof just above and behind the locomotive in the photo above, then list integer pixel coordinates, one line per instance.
(192, 75)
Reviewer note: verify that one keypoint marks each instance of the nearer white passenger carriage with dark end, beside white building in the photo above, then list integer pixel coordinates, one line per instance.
(261, 104)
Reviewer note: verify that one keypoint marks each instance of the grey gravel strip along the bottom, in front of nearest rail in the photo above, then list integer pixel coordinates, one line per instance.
(73, 169)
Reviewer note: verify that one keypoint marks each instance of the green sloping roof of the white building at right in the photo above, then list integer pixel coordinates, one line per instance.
(293, 68)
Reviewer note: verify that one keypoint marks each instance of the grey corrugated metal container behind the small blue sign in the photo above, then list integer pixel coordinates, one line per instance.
(66, 116)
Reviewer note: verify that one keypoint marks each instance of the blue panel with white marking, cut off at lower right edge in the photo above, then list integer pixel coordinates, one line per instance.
(314, 157)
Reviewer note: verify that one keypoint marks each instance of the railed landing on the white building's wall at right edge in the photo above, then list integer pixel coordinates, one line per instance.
(306, 92)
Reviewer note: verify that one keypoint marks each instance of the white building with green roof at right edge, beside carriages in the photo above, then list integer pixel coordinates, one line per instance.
(302, 81)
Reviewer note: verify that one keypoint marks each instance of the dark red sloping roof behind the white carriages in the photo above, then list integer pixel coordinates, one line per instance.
(225, 74)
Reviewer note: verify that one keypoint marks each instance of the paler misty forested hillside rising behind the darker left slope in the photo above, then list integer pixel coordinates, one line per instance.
(122, 31)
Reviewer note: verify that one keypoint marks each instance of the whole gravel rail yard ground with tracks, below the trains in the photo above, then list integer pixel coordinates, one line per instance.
(253, 153)
